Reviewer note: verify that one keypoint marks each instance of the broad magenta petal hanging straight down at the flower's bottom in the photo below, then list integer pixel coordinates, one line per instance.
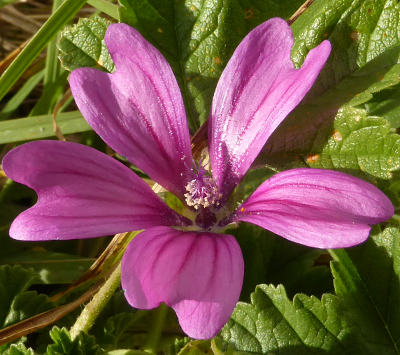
(198, 274)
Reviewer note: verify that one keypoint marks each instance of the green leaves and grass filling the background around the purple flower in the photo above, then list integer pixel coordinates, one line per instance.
(295, 300)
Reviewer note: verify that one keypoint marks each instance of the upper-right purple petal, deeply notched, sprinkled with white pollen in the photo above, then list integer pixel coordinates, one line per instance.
(257, 90)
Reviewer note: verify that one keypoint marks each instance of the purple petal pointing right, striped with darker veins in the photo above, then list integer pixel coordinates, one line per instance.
(318, 208)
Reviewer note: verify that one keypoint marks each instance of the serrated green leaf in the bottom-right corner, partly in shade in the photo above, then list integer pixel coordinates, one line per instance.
(362, 318)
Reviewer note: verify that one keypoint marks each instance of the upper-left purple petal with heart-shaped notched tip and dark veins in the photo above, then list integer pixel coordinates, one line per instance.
(138, 110)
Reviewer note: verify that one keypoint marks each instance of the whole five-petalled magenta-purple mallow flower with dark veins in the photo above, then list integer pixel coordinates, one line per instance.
(139, 112)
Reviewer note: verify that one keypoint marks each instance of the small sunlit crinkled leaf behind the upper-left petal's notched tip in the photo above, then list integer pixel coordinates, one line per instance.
(82, 45)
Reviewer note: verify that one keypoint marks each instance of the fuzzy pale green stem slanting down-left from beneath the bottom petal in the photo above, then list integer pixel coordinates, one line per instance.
(96, 305)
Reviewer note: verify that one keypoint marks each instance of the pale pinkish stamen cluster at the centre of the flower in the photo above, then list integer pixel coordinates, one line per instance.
(202, 191)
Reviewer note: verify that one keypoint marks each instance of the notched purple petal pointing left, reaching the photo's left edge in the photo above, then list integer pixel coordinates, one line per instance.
(82, 193)
